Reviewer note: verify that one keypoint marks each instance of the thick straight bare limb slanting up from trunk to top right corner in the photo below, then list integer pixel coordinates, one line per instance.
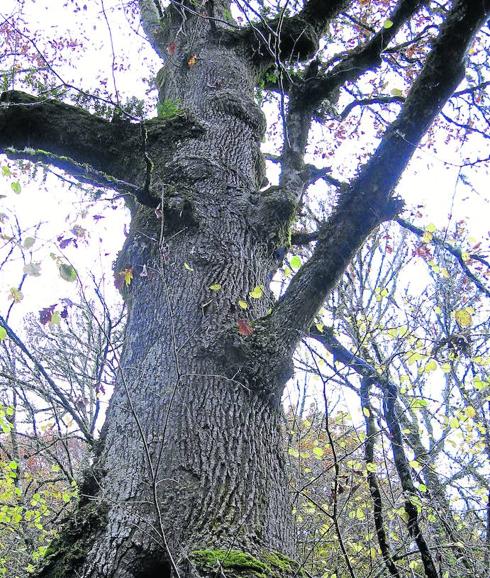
(369, 199)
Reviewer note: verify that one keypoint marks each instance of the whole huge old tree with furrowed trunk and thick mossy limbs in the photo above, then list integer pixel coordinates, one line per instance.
(189, 475)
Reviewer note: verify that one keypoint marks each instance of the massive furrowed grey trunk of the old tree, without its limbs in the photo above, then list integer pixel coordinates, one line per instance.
(191, 463)
